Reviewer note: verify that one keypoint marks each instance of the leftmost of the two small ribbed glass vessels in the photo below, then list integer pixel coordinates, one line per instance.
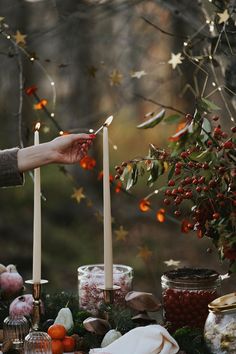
(15, 328)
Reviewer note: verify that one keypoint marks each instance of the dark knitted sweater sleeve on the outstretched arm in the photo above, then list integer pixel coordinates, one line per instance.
(9, 173)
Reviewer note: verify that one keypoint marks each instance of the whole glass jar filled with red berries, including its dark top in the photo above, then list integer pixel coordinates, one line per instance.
(186, 293)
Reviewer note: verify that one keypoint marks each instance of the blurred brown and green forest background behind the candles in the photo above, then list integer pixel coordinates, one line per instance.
(105, 57)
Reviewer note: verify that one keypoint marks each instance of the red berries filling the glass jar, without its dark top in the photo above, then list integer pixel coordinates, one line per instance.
(186, 307)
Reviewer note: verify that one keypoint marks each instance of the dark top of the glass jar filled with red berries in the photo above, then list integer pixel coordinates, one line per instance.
(191, 278)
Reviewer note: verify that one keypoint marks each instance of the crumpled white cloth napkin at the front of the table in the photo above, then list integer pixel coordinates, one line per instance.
(152, 339)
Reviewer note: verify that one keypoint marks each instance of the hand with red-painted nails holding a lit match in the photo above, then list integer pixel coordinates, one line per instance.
(71, 148)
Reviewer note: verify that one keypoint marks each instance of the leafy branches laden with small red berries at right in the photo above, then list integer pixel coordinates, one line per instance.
(202, 175)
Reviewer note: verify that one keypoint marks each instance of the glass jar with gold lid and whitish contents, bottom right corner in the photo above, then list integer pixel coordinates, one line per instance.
(220, 326)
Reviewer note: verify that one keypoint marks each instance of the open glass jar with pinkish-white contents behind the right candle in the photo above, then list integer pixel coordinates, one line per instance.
(91, 278)
